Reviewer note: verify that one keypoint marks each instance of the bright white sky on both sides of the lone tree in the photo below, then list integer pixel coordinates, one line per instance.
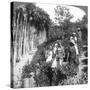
(75, 11)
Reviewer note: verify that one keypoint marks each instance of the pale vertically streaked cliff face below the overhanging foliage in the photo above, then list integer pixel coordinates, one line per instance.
(25, 47)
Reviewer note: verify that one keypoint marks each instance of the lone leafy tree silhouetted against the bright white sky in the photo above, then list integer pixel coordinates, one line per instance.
(63, 16)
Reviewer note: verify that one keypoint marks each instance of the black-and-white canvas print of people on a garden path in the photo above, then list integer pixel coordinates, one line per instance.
(48, 44)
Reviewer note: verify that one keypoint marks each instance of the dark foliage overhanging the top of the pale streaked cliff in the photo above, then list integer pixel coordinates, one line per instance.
(32, 15)
